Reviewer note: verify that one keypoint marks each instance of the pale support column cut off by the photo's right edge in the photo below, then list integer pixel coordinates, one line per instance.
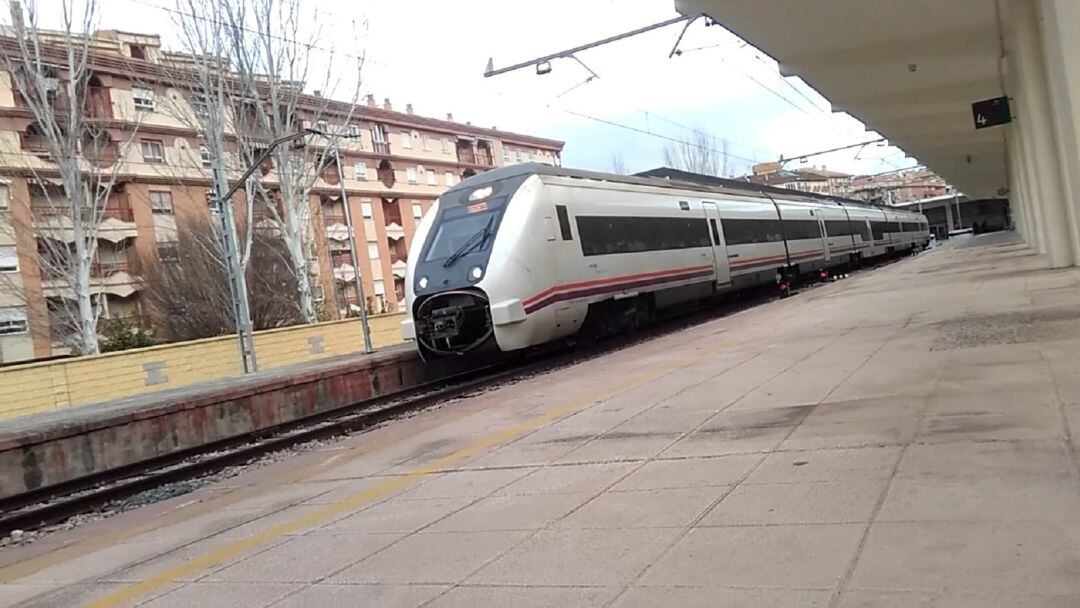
(1062, 55)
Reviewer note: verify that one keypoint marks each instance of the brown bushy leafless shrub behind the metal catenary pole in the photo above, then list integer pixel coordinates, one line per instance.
(187, 288)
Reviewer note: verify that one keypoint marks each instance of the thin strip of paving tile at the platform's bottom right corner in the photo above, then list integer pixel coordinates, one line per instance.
(860, 599)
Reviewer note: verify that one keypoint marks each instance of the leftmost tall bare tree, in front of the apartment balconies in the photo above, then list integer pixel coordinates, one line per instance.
(73, 157)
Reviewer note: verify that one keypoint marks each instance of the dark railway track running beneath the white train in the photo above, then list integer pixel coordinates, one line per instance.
(59, 503)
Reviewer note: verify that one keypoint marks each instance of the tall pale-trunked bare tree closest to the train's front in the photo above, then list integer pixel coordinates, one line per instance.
(274, 64)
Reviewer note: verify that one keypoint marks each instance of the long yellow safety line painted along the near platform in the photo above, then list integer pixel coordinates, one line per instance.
(130, 593)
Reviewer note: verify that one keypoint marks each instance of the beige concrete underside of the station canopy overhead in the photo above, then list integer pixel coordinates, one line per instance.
(910, 70)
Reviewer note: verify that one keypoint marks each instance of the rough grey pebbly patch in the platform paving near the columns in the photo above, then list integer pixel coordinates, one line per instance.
(1008, 329)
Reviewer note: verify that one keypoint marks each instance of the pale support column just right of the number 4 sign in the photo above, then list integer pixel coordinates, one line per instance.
(1037, 131)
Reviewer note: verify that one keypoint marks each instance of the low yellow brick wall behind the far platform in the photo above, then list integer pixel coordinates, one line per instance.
(45, 387)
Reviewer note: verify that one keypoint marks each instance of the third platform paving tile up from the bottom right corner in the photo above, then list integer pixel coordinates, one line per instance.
(1000, 498)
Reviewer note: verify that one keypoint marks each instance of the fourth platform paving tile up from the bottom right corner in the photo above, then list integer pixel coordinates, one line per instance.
(1001, 458)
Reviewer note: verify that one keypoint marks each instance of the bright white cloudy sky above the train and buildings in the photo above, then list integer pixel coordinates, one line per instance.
(433, 55)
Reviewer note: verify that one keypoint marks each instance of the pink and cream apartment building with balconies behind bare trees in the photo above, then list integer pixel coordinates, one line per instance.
(394, 168)
